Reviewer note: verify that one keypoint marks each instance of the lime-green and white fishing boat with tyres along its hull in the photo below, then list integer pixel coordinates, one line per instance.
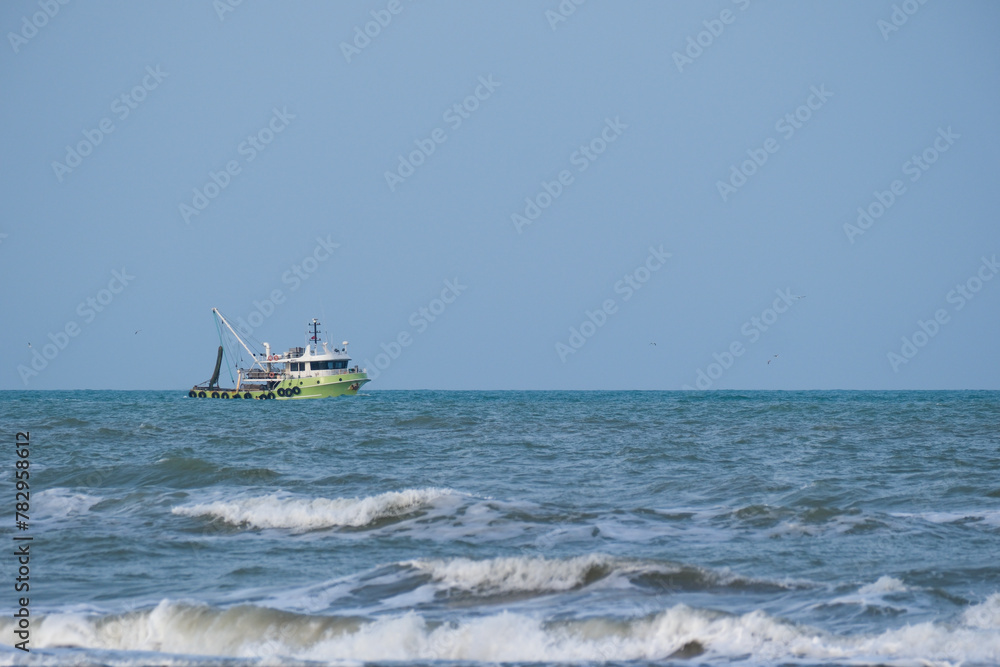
(312, 371)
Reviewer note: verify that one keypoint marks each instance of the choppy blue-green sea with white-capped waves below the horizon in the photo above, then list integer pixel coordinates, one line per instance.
(516, 527)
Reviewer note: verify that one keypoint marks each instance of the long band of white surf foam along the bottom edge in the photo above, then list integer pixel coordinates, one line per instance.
(255, 632)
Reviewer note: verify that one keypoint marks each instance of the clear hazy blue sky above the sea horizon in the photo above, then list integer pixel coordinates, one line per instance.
(530, 194)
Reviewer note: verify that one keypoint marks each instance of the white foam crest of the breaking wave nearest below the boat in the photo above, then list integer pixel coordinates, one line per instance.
(296, 513)
